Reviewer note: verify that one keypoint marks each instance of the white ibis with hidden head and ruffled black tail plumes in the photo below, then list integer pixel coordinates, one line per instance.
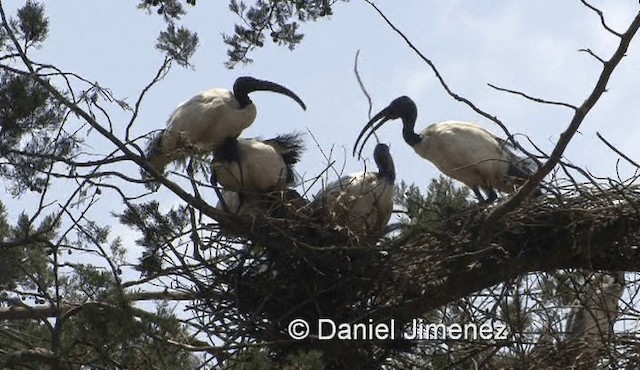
(255, 166)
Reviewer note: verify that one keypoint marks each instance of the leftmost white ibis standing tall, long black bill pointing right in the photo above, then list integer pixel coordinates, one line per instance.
(202, 123)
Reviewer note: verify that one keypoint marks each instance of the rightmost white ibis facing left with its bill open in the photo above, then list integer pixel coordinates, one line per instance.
(461, 150)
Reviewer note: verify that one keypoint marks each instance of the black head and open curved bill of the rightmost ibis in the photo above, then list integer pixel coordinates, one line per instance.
(402, 107)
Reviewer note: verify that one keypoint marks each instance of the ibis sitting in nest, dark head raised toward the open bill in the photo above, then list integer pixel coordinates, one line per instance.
(363, 201)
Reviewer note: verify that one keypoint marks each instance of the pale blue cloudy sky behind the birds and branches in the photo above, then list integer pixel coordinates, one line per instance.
(528, 46)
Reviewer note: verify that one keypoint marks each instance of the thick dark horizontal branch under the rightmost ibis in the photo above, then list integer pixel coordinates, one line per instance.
(586, 232)
